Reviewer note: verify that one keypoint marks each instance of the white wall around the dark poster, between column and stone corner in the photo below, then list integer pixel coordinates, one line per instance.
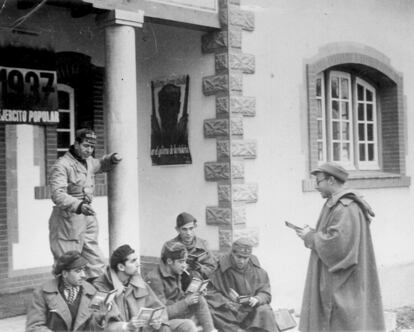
(166, 191)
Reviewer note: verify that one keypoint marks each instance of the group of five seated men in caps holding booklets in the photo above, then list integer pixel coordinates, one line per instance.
(237, 297)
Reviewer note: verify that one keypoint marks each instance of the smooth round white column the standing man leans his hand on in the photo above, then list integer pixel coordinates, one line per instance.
(120, 109)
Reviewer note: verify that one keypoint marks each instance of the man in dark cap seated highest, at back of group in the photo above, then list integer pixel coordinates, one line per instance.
(201, 262)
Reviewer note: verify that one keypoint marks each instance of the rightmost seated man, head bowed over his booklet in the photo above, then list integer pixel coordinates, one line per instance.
(240, 295)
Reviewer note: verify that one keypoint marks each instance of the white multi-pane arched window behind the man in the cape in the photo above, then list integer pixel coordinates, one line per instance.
(346, 121)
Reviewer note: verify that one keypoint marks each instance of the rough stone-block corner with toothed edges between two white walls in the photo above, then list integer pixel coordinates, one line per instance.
(232, 107)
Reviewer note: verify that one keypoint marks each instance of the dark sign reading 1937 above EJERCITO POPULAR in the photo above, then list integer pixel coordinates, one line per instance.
(28, 96)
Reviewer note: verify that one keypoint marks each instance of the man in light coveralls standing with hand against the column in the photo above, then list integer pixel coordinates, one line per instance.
(72, 224)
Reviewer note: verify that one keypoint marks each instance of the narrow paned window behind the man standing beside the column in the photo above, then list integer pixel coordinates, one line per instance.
(66, 128)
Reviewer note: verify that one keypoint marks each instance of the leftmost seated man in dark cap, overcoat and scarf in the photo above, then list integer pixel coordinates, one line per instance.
(62, 303)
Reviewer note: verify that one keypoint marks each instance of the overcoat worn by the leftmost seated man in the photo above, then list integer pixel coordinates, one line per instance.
(48, 310)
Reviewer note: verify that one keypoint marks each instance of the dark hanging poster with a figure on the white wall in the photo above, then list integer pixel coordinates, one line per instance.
(169, 121)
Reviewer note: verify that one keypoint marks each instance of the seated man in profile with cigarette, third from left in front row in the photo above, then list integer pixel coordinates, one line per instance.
(182, 306)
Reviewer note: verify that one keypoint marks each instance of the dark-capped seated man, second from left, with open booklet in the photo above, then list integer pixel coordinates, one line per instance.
(134, 300)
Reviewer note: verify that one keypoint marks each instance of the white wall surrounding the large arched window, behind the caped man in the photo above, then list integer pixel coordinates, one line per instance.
(287, 33)
